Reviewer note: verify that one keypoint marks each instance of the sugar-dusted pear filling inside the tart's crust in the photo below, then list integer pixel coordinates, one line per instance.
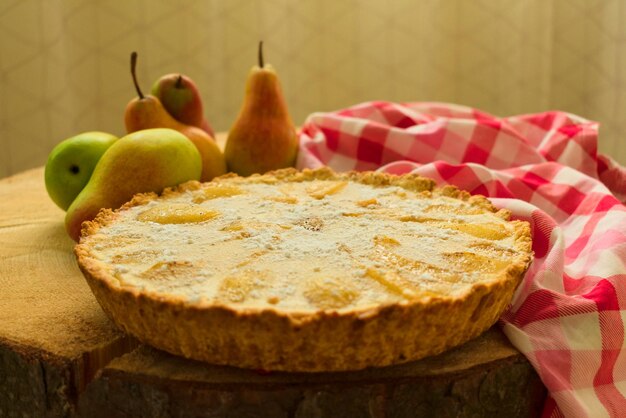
(306, 245)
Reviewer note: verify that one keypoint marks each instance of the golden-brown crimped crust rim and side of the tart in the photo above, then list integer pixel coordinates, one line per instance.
(270, 339)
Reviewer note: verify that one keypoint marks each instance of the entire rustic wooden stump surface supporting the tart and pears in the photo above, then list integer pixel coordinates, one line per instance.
(61, 356)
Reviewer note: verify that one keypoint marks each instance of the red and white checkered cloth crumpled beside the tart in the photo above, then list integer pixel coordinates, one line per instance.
(568, 315)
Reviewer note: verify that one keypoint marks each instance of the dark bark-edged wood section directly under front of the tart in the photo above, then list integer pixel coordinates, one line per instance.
(485, 377)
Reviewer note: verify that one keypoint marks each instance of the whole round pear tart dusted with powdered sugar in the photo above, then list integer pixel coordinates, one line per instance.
(305, 270)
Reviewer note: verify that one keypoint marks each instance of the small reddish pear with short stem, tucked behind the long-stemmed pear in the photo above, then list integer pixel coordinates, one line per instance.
(181, 98)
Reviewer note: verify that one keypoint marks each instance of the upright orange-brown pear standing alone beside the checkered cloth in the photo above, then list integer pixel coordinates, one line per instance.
(263, 137)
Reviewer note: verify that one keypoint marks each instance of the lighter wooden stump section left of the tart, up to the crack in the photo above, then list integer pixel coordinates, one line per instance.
(53, 335)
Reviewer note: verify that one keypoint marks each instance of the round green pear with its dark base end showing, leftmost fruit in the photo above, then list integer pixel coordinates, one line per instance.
(71, 163)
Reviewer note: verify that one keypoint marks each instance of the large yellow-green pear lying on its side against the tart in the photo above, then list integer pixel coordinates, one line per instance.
(144, 161)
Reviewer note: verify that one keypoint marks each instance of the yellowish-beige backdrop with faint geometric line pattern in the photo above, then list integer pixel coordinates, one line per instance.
(64, 65)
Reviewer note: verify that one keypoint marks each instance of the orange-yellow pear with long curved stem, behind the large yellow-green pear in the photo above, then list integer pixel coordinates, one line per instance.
(146, 111)
